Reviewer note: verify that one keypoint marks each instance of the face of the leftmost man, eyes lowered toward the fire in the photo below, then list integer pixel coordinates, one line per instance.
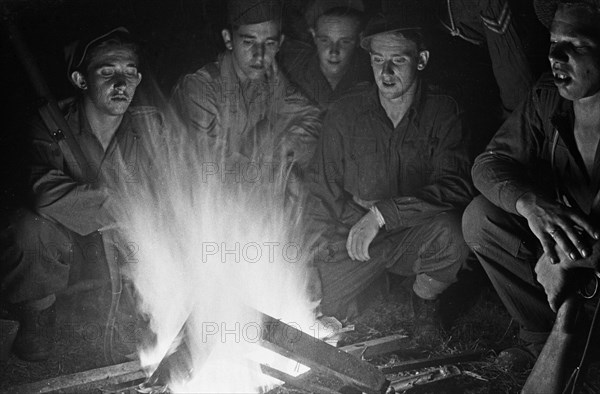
(111, 79)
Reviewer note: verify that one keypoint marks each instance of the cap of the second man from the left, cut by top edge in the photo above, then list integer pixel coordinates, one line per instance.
(250, 12)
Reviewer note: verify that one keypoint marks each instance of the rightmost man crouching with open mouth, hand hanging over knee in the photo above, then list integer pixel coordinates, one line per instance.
(537, 222)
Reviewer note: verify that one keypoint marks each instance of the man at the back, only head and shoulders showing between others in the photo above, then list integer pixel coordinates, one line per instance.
(334, 64)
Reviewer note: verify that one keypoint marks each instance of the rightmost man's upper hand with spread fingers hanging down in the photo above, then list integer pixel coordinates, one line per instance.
(555, 224)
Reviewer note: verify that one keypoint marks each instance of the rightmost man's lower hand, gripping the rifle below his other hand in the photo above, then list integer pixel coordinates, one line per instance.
(553, 277)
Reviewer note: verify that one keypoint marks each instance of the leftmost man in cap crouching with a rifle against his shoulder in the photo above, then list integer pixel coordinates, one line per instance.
(62, 228)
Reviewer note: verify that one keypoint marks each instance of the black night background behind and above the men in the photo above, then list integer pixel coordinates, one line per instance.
(179, 36)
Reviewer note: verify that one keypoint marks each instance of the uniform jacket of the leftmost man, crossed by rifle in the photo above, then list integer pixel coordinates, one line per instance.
(81, 205)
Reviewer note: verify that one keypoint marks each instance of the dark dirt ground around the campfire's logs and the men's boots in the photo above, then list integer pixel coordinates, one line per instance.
(480, 323)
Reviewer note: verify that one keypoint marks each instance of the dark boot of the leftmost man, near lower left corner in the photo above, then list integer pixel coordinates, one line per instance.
(35, 339)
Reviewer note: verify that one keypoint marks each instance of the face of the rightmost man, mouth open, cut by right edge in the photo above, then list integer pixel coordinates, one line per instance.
(575, 52)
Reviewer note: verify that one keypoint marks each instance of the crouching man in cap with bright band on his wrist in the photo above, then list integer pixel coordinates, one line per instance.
(392, 178)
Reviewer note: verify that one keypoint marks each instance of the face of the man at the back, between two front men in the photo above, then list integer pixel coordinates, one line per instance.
(336, 38)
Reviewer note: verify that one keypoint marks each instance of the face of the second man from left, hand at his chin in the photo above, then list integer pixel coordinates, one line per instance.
(254, 48)
